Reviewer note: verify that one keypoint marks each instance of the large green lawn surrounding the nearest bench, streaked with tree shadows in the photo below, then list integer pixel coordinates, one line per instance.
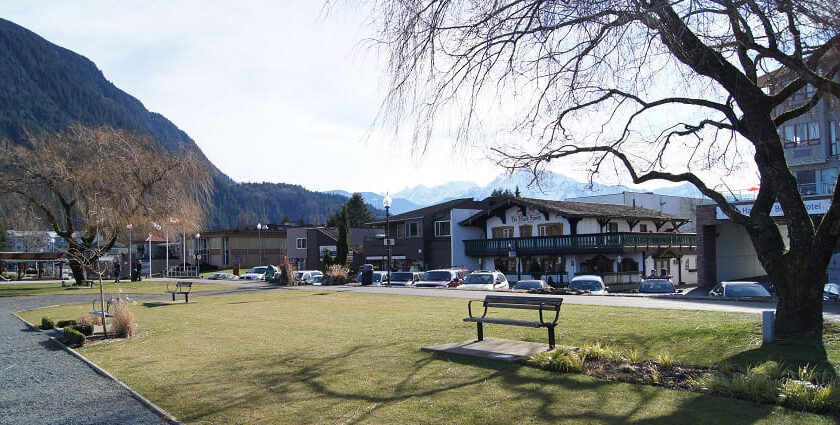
(309, 356)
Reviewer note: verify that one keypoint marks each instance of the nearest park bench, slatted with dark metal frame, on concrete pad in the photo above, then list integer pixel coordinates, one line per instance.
(542, 304)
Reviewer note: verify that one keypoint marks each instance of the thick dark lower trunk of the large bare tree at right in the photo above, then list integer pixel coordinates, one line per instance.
(799, 310)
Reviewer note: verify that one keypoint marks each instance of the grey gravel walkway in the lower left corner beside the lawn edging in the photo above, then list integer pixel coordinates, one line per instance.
(40, 383)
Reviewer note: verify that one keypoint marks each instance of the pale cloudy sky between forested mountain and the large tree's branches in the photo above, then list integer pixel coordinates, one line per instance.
(270, 91)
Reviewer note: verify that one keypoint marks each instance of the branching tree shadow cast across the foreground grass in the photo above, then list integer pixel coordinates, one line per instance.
(328, 382)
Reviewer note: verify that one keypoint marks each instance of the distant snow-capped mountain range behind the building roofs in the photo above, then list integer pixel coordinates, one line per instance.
(554, 186)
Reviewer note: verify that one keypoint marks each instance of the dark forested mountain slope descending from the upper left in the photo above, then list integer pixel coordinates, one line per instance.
(45, 88)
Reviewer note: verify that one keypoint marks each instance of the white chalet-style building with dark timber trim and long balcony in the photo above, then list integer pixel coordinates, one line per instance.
(521, 236)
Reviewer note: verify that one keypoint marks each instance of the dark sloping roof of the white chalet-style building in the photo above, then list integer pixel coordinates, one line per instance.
(572, 210)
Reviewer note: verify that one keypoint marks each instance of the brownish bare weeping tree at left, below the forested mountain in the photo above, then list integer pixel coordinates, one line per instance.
(87, 184)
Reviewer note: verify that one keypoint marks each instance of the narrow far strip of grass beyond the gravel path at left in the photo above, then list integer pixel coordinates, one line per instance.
(14, 289)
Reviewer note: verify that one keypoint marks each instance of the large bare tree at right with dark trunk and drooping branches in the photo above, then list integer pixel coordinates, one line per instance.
(676, 90)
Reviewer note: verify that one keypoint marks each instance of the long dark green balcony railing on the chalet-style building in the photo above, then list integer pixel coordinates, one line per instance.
(607, 242)
